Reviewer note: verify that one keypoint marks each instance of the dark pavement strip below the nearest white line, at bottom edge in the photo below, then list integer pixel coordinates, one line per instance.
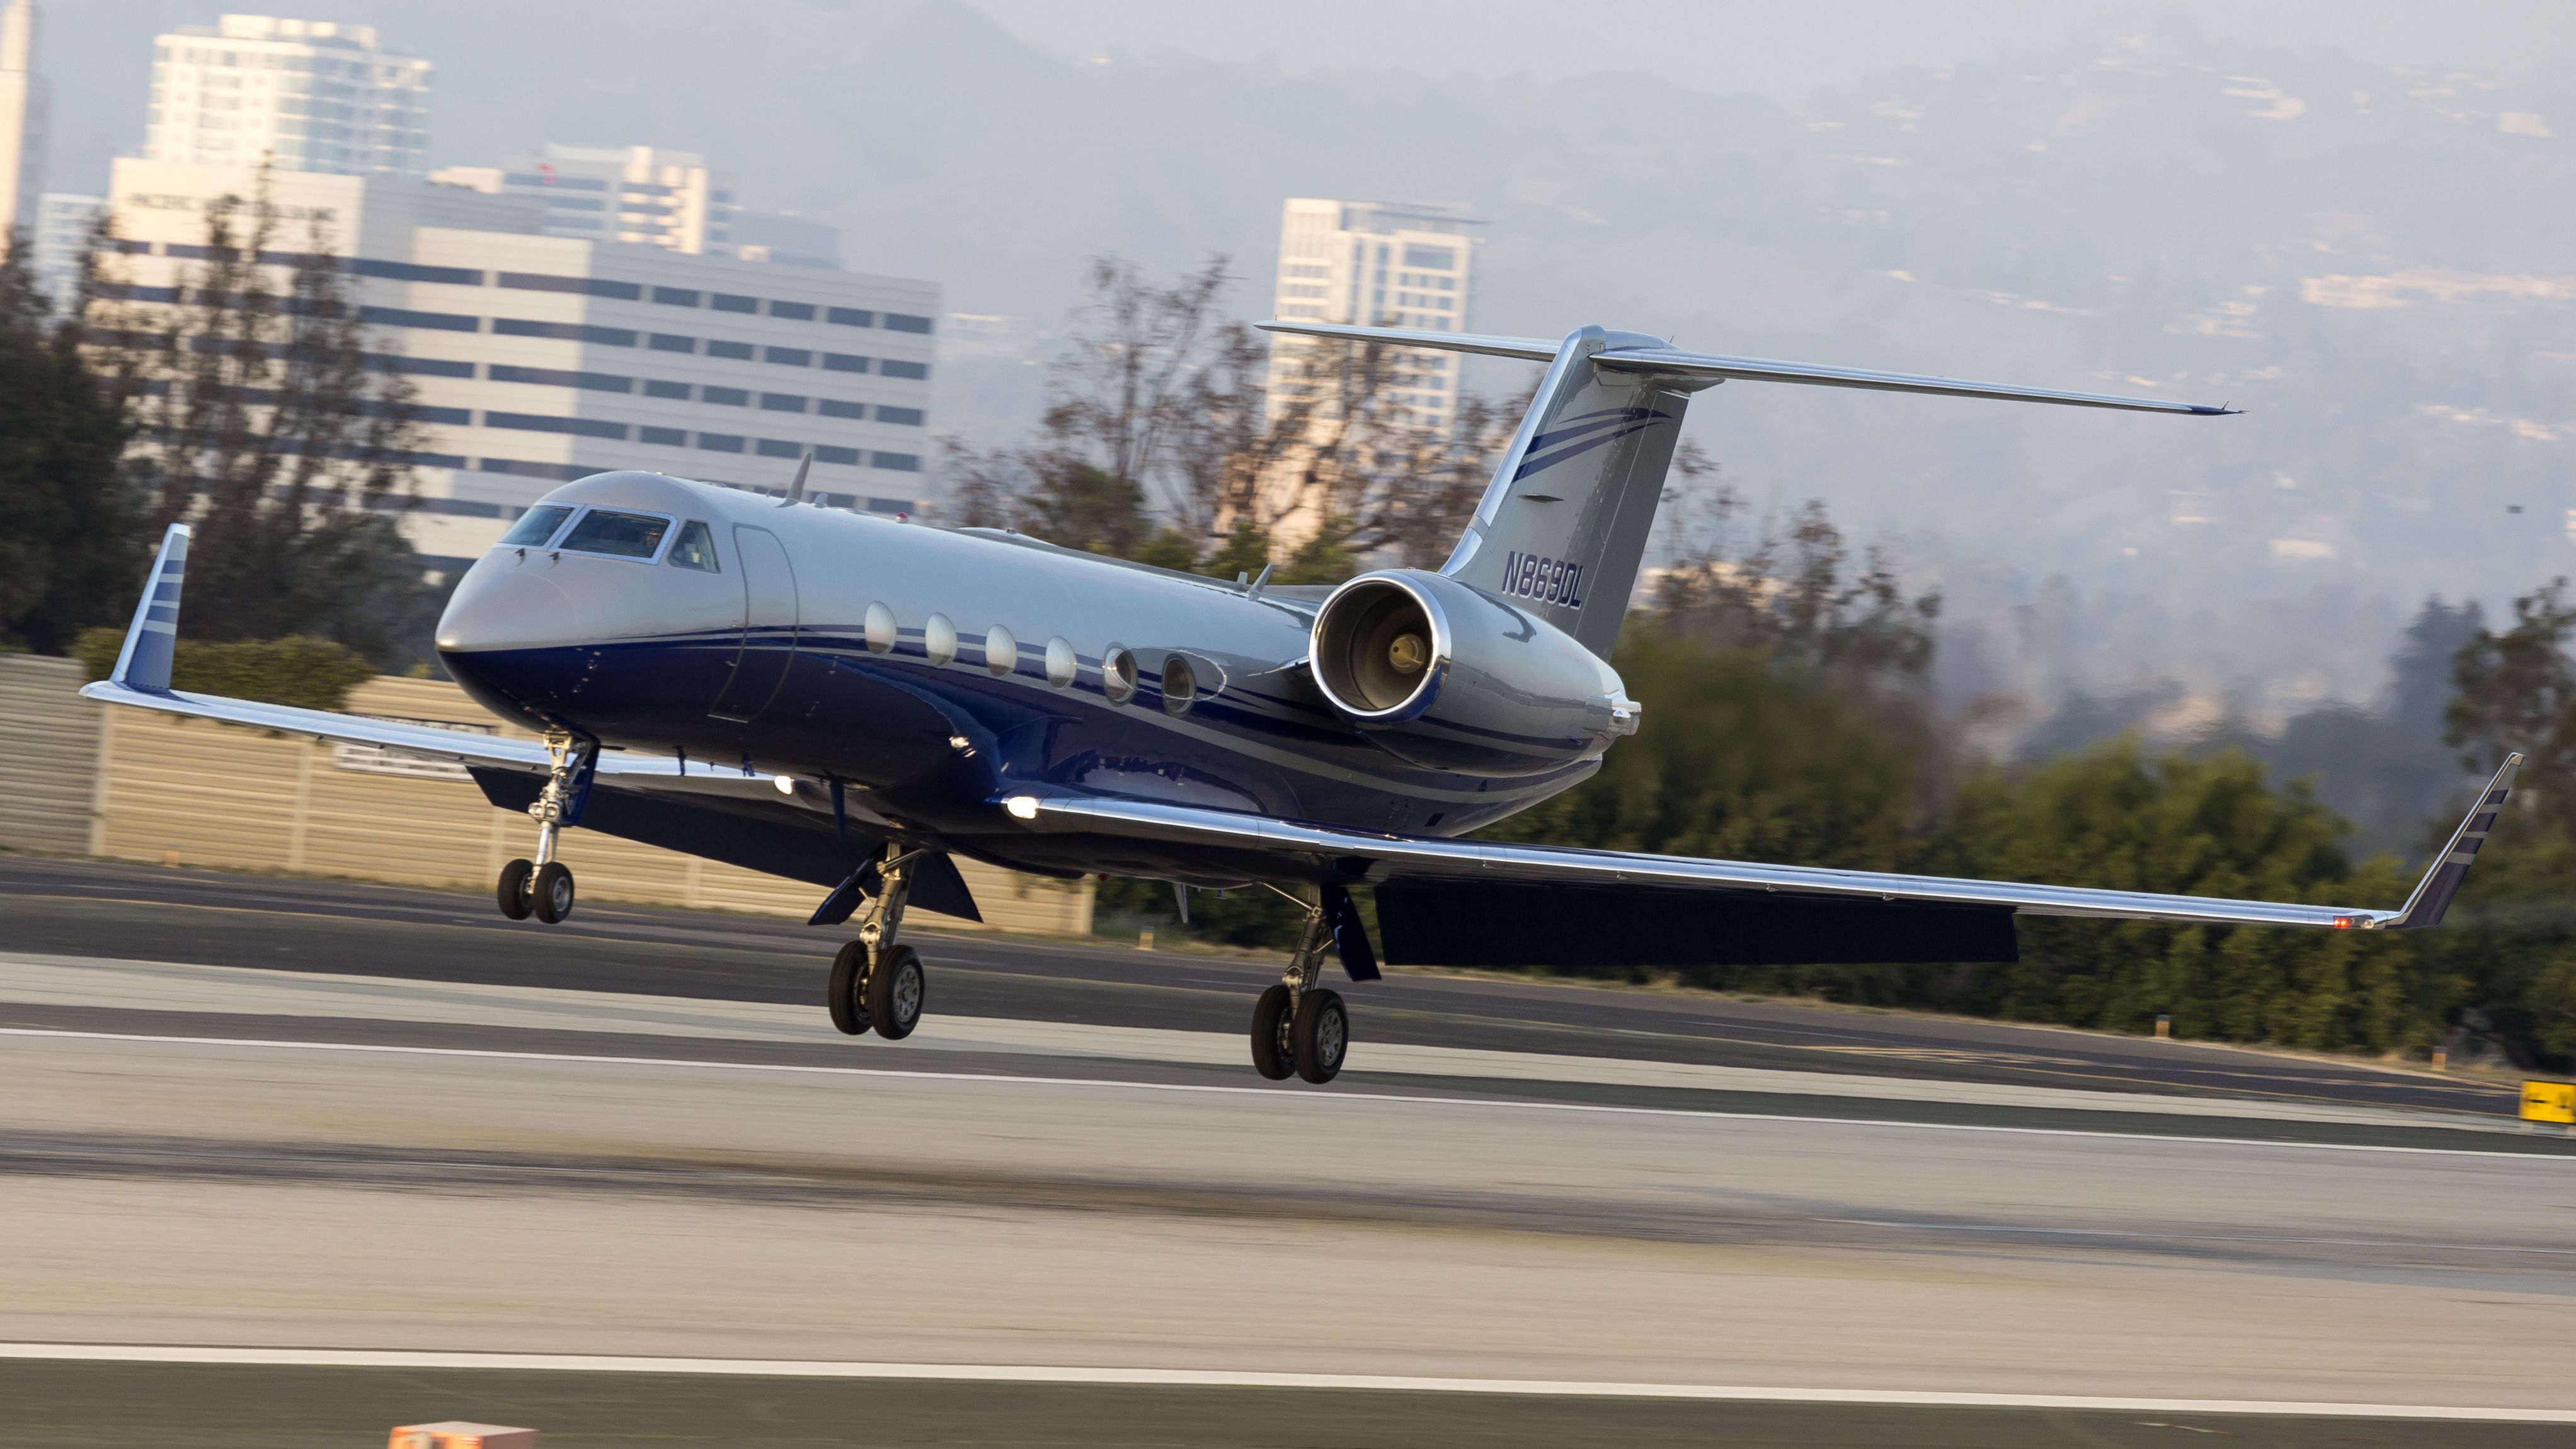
(97, 1406)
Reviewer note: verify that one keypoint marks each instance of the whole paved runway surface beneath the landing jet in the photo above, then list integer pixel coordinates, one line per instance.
(421, 1154)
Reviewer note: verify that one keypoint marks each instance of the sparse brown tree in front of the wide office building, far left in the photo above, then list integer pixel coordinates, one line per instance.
(259, 416)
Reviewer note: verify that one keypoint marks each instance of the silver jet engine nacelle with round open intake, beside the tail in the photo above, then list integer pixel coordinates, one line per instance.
(1459, 679)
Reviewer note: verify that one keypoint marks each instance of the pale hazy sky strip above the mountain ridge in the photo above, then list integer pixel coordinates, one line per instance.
(1768, 48)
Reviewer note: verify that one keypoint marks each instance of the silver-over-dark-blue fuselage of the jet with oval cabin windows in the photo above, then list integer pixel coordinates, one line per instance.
(931, 672)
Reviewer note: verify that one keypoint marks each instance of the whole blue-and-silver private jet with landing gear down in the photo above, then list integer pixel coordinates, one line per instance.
(854, 700)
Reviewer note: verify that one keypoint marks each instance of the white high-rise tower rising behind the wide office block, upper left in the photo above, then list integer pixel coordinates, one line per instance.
(292, 94)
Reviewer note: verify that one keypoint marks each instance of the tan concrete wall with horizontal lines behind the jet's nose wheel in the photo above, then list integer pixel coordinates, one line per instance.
(156, 788)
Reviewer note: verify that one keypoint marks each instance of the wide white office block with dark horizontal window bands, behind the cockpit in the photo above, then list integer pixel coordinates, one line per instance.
(540, 360)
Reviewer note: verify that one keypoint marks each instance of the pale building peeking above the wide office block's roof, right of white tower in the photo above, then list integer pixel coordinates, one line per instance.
(643, 197)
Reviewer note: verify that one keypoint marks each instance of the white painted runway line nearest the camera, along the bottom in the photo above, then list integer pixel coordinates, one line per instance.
(1225, 1381)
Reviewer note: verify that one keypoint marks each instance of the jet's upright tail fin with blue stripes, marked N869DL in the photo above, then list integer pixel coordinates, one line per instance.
(1567, 514)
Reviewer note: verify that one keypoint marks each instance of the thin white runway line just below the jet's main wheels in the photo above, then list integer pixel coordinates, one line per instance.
(1271, 1094)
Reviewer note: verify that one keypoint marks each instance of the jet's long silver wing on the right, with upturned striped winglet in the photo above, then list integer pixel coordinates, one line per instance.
(1359, 857)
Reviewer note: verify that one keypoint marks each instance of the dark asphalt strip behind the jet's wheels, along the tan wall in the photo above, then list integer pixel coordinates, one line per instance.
(153, 914)
